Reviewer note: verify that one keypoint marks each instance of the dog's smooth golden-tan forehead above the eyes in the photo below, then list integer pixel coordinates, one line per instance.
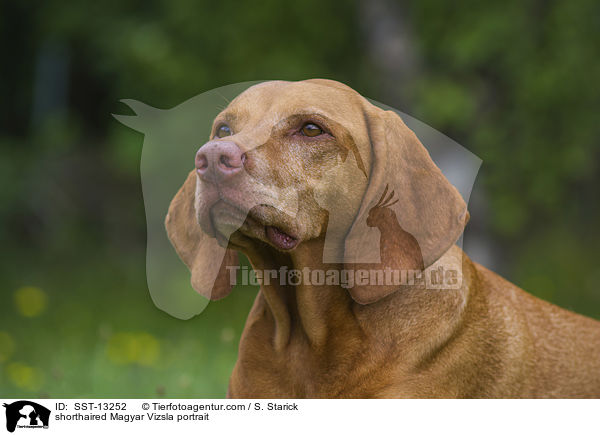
(270, 102)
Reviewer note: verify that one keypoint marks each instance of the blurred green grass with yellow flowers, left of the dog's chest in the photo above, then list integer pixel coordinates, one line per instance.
(101, 336)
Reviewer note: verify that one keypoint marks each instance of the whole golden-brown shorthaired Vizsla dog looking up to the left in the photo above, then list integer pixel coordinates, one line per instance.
(300, 176)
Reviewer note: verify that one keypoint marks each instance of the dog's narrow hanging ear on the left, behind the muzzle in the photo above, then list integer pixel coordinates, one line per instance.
(206, 260)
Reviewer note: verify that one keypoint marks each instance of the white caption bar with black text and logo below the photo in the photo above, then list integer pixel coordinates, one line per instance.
(77, 416)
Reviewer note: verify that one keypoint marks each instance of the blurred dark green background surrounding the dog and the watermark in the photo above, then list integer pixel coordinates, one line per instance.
(515, 82)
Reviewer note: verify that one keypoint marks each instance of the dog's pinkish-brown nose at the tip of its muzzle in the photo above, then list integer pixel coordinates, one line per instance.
(219, 161)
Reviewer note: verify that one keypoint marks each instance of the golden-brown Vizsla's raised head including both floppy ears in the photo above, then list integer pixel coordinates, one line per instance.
(291, 162)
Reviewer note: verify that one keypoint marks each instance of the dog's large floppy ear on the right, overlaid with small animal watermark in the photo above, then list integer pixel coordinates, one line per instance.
(418, 213)
